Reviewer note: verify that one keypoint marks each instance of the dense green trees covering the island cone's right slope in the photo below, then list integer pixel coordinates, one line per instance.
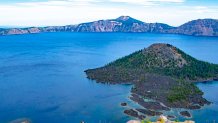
(194, 70)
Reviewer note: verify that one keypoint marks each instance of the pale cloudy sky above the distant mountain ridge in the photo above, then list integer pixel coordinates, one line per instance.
(66, 12)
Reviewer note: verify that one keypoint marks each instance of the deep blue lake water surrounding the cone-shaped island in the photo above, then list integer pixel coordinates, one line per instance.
(42, 78)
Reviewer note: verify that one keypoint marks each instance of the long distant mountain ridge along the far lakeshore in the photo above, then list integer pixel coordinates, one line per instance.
(201, 27)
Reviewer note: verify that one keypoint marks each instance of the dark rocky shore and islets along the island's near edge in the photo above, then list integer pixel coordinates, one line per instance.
(155, 107)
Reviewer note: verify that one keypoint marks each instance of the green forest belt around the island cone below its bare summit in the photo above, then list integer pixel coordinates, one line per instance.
(150, 62)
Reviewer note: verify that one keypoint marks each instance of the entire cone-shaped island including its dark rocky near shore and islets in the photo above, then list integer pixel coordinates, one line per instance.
(162, 74)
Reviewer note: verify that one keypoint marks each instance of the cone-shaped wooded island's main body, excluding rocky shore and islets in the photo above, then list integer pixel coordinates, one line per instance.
(157, 64)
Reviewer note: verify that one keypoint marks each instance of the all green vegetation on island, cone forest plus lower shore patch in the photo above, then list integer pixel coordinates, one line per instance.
(154, 63)
